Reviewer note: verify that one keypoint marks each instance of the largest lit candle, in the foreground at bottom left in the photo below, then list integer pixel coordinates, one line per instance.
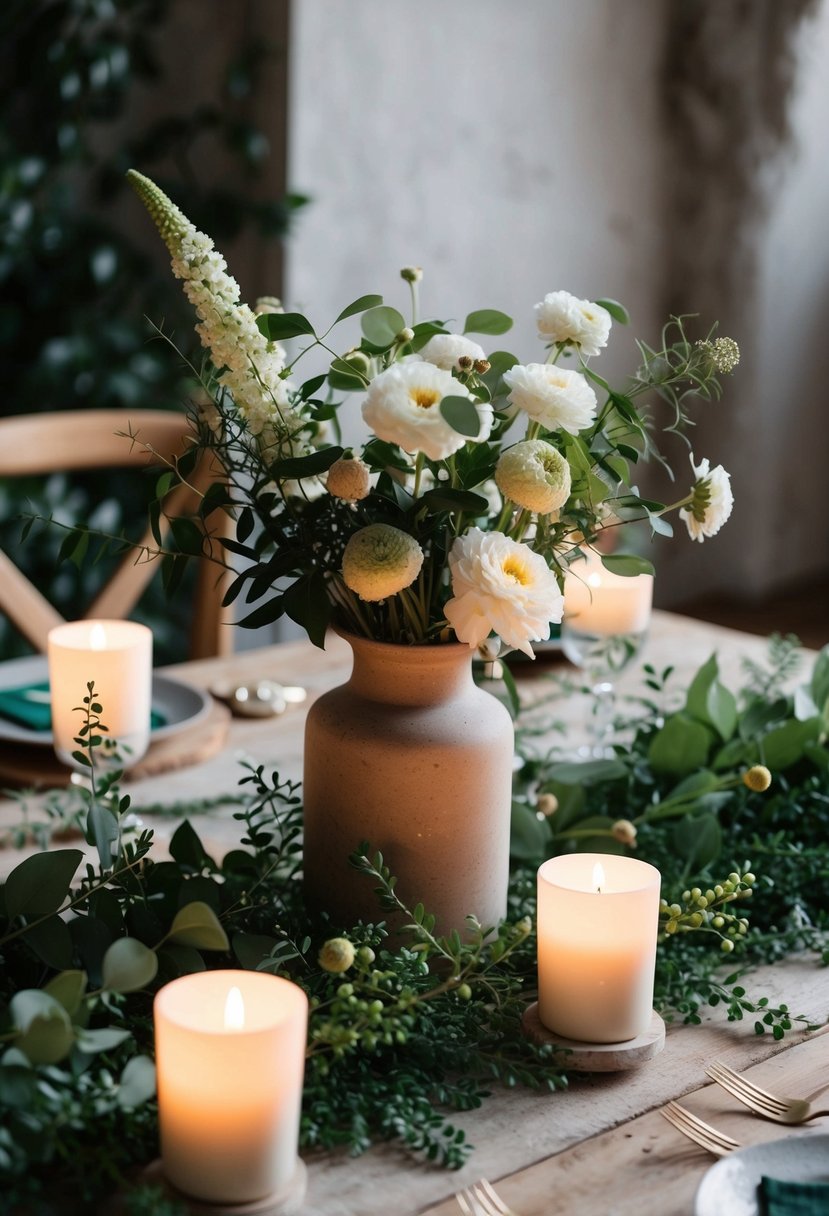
(230, 1055)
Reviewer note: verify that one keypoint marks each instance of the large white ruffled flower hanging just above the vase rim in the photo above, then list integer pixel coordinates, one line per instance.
(501, 586)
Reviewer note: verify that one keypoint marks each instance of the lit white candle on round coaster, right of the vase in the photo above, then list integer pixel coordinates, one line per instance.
(599, 920)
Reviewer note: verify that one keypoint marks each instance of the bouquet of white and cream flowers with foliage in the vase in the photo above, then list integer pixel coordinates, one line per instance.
(482, 482)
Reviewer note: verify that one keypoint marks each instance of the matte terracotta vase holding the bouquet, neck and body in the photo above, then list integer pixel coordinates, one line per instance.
(413, 757)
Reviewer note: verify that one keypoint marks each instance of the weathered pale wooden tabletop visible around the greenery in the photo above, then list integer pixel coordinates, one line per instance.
(601, 1149)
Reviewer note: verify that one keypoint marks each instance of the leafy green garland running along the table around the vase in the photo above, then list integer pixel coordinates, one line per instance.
(402, 1037)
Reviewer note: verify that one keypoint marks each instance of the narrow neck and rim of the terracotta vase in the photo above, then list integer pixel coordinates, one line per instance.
(409, 675)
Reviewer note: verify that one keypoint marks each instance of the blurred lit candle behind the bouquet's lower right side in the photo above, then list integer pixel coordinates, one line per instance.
(599, 603)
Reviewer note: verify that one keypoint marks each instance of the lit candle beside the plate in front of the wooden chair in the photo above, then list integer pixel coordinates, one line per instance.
(117, 656)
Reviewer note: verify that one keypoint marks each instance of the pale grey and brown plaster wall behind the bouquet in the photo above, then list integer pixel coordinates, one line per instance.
(515, 149)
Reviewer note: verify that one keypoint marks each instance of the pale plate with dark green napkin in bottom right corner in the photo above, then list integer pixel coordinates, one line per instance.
(731, 1186)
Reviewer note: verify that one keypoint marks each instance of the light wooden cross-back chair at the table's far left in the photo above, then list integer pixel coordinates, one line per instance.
(88, 440)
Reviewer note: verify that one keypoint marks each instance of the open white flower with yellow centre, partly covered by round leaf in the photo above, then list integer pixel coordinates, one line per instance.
(403, 407)
